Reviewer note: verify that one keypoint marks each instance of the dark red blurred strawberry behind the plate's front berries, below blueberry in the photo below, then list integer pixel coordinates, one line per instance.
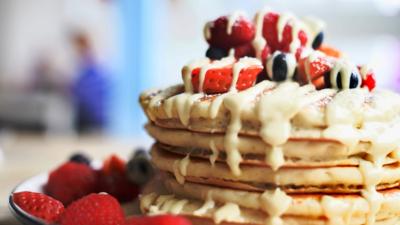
(71, 181)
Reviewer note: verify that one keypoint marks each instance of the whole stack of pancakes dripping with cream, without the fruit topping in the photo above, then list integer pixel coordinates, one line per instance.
(274, 153)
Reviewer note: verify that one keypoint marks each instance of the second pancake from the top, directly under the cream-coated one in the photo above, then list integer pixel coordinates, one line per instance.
(297, 151)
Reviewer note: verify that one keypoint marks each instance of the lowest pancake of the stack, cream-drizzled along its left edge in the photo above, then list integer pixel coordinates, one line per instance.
(211, 212)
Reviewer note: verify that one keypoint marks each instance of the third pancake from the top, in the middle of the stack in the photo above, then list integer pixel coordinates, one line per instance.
(347, 179)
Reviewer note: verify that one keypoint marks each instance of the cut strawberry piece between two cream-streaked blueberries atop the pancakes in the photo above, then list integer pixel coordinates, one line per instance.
(317, 68)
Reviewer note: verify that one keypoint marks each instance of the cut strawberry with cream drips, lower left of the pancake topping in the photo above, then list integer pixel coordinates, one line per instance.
(217, 77)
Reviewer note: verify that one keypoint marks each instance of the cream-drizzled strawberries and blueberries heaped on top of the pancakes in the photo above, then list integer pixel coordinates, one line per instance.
(287, 47)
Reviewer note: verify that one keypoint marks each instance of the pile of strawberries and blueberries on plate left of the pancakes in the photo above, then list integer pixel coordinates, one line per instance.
(78, 194)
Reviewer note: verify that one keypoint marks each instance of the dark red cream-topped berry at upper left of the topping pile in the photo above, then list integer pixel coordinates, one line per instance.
(243, 32)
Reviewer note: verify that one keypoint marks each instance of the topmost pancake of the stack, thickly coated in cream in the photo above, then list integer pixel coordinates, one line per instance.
(346, 116)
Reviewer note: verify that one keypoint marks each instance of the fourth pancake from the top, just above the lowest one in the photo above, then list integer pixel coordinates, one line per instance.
(302, 205)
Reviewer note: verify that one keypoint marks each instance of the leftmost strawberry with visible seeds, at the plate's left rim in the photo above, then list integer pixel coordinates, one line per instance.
(39, 205)
